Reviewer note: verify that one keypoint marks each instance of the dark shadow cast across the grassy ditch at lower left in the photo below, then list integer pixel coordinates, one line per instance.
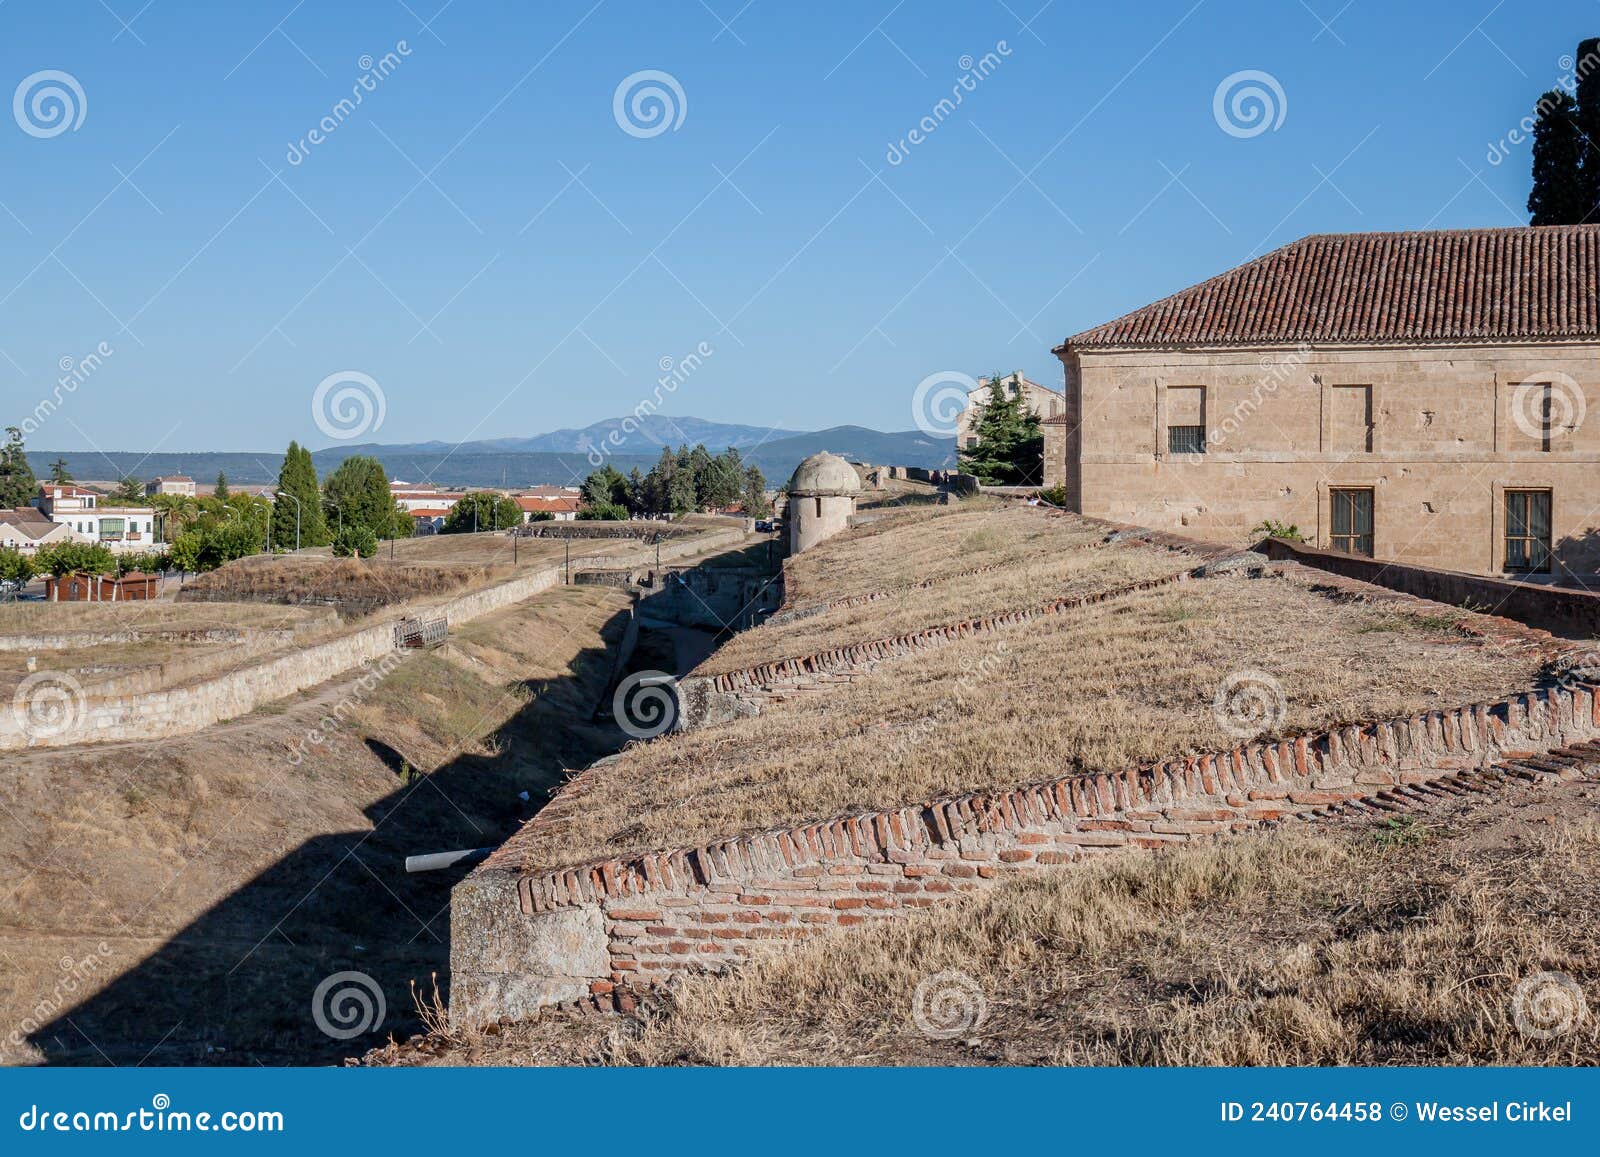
(238, 985)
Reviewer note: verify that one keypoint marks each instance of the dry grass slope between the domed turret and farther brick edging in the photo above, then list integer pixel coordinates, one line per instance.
(1034, 559)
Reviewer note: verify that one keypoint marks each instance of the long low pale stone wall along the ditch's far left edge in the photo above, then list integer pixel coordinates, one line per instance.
(196, 707)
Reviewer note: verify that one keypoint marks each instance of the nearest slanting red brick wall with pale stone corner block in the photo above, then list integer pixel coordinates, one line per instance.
(606, 931)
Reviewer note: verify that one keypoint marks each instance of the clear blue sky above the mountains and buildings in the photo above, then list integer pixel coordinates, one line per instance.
(487, 244)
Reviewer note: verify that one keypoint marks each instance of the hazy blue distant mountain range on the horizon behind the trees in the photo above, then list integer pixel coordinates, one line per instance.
(556, 458)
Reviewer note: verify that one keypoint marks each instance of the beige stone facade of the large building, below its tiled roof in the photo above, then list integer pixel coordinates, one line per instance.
(1438, 434)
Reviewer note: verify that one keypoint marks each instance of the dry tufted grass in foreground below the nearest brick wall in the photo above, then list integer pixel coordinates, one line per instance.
(1271, 950)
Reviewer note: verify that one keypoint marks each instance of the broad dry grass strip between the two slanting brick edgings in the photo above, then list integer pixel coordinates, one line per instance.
(1100, 689)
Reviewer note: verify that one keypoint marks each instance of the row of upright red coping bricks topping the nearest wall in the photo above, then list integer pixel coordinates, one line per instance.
(1145, 807)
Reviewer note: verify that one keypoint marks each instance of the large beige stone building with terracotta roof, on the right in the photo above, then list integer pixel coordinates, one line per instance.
(1415, 398)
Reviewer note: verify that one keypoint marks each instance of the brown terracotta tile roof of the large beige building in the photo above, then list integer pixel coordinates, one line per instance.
(1447, 286)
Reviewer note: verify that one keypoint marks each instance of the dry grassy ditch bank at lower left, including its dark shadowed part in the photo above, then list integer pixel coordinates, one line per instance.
(210, 883)
